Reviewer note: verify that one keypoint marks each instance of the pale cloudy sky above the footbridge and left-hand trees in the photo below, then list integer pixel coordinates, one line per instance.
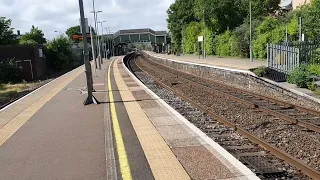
(58, 15)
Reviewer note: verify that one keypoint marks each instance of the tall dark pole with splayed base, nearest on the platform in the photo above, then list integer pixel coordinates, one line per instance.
(90, 99)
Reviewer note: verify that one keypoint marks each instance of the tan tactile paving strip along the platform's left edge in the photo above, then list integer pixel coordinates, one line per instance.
(17, 122)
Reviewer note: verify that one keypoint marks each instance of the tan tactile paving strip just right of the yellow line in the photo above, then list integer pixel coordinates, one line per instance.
(162, 161)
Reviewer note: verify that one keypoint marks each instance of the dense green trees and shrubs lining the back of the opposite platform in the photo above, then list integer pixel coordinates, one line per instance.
(227, 25)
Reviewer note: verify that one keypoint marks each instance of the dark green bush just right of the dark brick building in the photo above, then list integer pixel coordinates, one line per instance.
(59, 53)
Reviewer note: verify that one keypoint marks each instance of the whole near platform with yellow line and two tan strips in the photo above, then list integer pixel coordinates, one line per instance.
(131, 134)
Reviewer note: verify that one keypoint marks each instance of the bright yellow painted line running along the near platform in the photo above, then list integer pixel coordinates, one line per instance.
(122, 154)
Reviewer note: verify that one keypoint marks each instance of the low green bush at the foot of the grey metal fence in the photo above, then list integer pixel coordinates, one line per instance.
(300, 76)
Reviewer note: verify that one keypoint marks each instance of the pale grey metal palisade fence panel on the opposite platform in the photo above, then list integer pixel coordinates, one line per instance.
(283, 58)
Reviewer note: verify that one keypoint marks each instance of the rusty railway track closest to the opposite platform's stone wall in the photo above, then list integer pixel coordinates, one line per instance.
(294, 114)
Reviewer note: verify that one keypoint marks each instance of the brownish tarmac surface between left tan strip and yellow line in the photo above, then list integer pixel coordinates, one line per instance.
(68, 144)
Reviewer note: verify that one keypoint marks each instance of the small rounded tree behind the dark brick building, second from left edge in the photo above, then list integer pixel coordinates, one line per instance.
(35, 34)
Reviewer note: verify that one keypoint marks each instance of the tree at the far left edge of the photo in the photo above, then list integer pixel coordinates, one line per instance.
(6, 32)
